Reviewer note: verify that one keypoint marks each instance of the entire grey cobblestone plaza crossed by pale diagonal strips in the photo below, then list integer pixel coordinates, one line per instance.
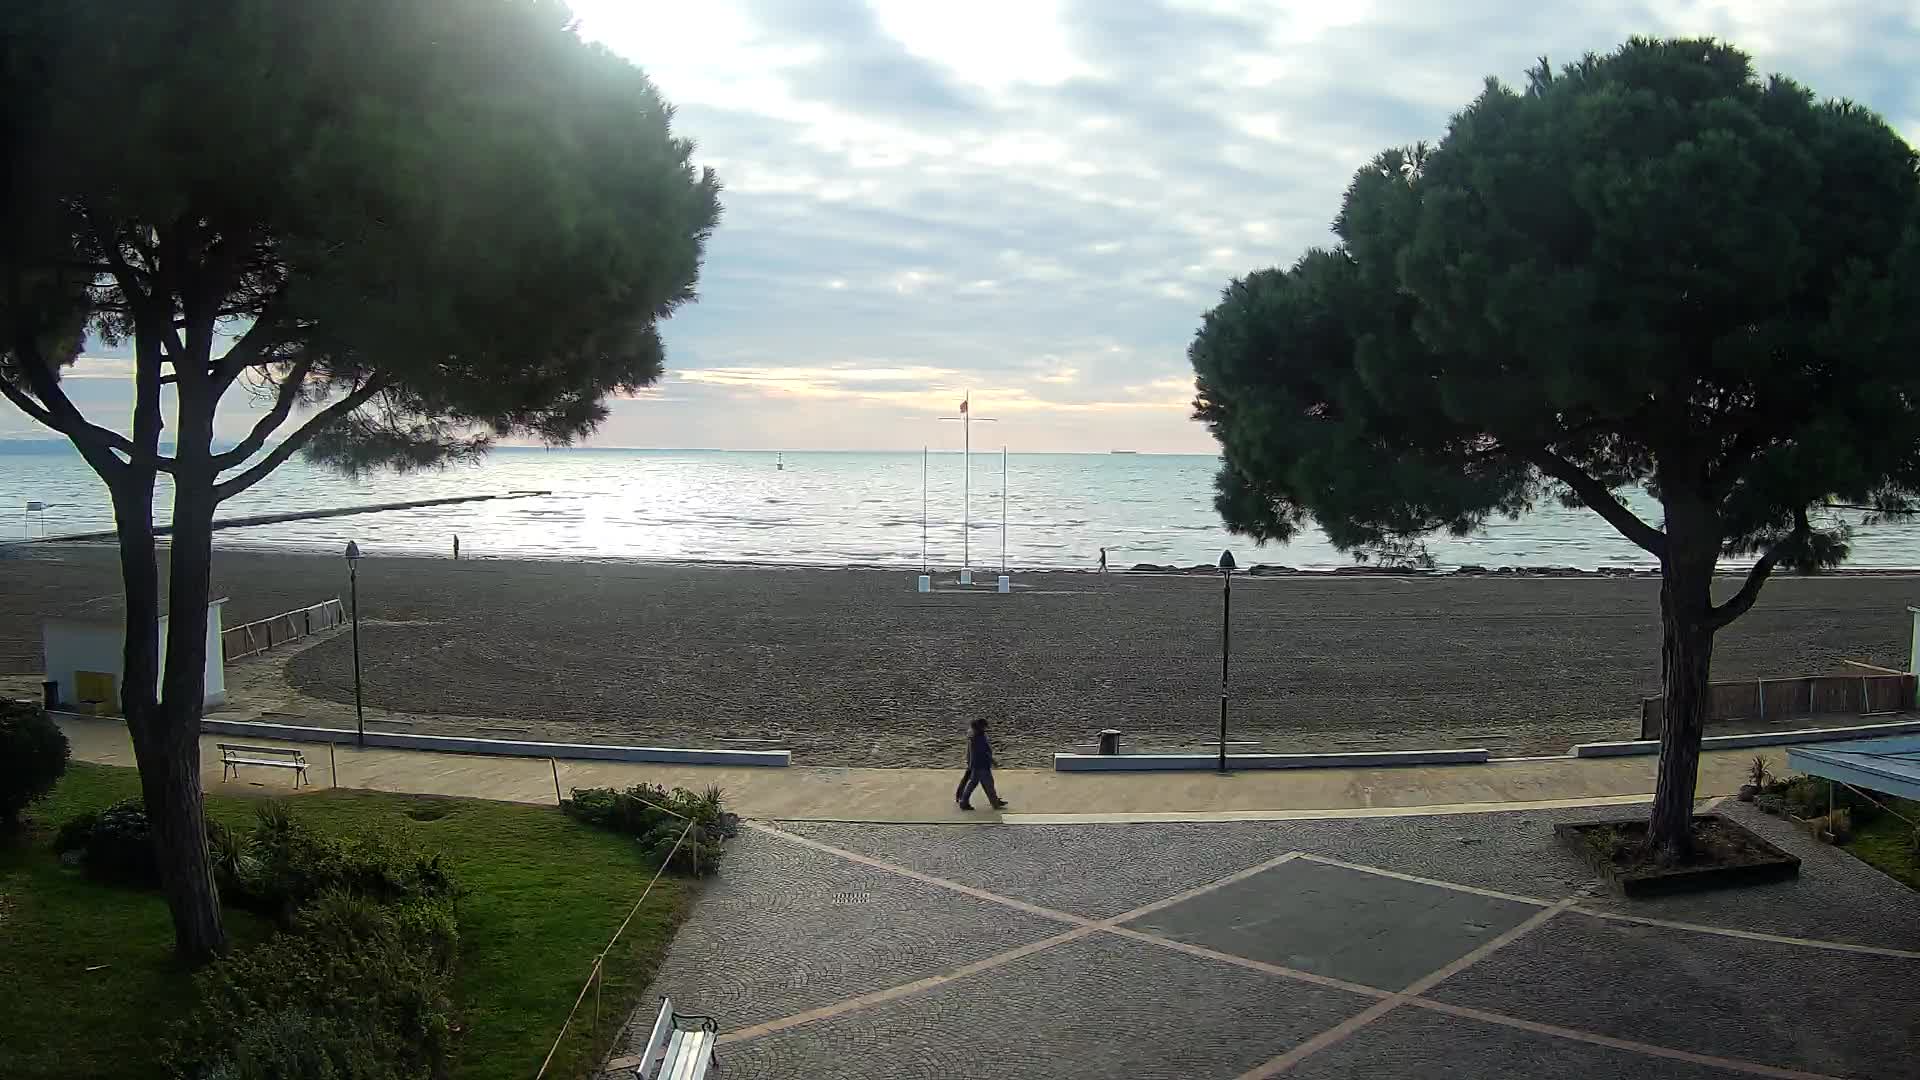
(1364, 948)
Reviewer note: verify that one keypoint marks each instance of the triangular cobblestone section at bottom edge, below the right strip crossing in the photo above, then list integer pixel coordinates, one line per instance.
(1416, 1043)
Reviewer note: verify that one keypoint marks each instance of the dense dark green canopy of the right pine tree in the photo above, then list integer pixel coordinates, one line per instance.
(1650, 268)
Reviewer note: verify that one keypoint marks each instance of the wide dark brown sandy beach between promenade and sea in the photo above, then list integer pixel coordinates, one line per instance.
(853, 668)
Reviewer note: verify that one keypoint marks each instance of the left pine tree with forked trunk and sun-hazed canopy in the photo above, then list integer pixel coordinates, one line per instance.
(421, 224)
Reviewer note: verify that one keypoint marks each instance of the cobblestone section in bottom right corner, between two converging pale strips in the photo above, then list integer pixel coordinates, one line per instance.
(1815, 1010)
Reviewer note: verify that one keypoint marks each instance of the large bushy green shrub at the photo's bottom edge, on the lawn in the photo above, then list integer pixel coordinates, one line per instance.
(352, 991)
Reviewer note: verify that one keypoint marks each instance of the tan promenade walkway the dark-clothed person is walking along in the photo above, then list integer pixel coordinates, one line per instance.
(926, 795)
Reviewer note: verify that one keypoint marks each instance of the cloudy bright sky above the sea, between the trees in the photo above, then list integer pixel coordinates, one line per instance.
(1036, 201)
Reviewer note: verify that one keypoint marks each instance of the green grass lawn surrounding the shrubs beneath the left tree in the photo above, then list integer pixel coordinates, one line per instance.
(544, 896)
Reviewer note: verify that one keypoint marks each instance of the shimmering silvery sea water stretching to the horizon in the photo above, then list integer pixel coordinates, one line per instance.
(819, 508)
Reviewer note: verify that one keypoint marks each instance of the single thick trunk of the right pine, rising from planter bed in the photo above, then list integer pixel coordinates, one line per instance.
(1687, 674)
